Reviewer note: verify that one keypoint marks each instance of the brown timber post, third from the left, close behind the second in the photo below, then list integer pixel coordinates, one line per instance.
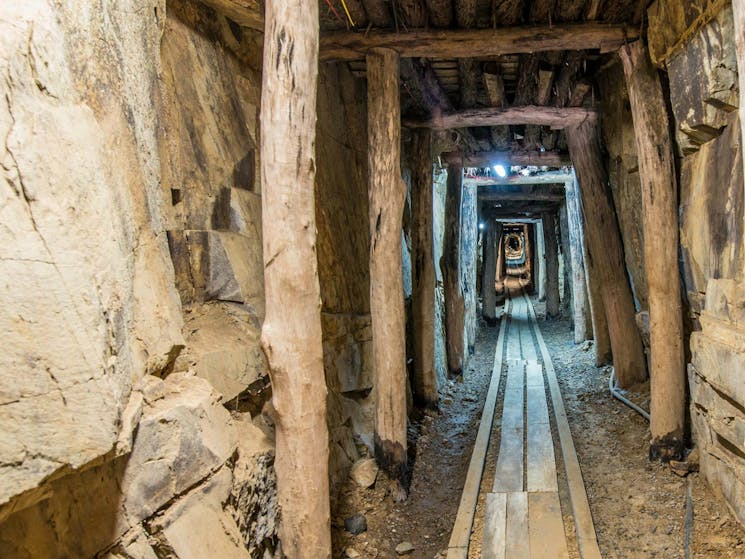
(423, 272)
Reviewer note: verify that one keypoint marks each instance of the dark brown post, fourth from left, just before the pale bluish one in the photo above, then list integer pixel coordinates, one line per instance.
(449, 266)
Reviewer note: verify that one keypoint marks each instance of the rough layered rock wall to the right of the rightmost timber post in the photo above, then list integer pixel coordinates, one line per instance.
(703, 90)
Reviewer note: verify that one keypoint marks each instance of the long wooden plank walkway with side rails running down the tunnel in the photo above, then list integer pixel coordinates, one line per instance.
(523, 519)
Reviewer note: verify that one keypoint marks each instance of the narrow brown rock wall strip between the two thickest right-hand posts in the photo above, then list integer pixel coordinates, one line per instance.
(623, 174)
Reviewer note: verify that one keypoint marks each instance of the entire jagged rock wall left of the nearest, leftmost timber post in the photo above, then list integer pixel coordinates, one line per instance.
(112, 443)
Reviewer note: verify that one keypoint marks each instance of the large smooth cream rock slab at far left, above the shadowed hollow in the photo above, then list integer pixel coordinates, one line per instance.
(88, 304)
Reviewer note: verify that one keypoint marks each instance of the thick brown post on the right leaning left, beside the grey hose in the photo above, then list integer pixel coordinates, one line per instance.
(605, 253)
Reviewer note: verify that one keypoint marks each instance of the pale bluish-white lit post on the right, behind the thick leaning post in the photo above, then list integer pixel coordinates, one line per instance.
(582, 326)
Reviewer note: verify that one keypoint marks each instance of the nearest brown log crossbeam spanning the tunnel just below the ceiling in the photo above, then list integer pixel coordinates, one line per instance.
(475, 43)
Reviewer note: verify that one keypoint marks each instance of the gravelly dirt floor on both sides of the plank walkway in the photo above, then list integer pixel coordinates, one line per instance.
(639, 507)
